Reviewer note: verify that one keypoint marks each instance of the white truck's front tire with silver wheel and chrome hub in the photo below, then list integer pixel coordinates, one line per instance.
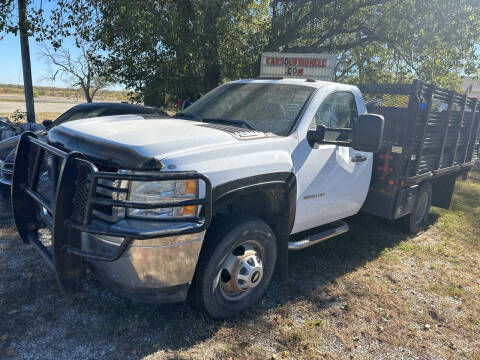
(235, 267)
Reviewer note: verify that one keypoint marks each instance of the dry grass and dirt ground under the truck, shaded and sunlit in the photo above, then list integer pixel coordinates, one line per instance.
(374, 293)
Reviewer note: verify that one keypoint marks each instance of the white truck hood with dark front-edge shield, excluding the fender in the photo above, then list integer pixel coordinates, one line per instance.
(136, 142)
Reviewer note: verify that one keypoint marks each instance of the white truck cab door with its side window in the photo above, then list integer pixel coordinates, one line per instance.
(332, 181)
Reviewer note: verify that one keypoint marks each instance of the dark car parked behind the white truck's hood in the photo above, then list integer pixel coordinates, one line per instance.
(81, 111)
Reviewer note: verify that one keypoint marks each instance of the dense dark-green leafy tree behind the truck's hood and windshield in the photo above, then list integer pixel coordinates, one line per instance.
(164, 49)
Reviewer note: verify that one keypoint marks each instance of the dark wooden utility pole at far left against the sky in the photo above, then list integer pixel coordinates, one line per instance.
(26, 66)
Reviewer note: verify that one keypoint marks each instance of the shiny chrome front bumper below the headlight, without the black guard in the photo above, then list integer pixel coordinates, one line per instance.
(155, 271)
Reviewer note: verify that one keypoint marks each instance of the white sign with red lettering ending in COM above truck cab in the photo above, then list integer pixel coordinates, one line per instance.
(308, 66)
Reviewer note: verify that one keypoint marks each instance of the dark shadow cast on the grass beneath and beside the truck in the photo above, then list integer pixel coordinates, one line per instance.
(38, 321)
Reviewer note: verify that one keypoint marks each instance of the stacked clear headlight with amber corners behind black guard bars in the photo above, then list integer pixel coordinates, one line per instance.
(163, 191)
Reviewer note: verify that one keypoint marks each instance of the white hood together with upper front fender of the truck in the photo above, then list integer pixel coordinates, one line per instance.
(132, 142)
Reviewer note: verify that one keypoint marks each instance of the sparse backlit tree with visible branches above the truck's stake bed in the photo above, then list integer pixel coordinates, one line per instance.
(384, 40)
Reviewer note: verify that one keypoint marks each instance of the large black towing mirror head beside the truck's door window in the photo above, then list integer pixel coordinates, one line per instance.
(368, 133)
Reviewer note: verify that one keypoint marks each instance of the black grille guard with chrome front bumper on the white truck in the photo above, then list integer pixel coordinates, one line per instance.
(144, 259)
